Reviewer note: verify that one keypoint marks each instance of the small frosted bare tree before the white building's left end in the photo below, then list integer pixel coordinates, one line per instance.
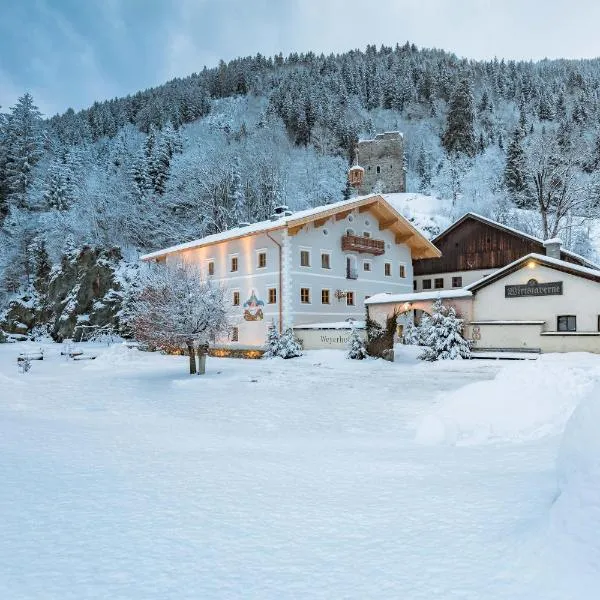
(176, 307)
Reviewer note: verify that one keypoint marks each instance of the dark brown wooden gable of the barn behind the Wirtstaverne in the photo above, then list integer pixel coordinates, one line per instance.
(473, 244)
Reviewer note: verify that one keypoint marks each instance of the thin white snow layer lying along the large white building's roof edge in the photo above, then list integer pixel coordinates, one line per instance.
(270, 225)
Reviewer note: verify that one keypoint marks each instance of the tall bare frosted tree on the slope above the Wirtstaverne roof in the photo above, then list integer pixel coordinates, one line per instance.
(563, 195)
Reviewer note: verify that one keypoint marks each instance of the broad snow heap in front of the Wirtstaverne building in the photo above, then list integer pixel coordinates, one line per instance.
(525, 401)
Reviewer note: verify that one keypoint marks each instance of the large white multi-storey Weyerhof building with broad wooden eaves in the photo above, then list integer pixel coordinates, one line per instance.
(293, 271)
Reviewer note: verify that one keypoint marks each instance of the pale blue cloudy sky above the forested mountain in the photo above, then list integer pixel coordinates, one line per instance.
(73, 52)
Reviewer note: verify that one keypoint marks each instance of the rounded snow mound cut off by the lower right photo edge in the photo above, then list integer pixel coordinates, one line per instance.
(576, 513)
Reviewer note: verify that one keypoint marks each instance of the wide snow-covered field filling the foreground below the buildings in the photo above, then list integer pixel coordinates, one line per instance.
(319, 477)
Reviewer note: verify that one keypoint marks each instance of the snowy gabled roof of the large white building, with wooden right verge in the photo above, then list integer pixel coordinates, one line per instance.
(289, 220)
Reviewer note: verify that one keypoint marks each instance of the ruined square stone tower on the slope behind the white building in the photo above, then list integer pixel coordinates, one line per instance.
(383, 161)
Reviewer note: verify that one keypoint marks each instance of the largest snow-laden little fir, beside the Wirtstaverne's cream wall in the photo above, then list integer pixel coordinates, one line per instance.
(441, 334)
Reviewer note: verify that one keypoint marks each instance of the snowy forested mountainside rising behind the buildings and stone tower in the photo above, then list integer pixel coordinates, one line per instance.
(200, 154)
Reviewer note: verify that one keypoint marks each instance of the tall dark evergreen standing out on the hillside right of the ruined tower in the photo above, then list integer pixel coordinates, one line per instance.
(459, 135)
